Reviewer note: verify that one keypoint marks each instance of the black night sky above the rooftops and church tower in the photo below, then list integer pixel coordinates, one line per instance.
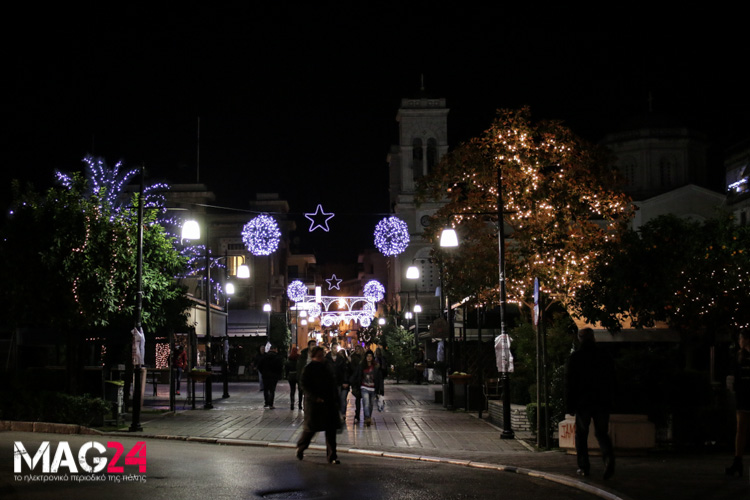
(302, 100)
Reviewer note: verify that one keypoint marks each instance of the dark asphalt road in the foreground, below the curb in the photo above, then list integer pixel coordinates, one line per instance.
(191, 470)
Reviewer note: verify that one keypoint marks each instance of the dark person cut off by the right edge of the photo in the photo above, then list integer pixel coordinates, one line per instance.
(741, 387)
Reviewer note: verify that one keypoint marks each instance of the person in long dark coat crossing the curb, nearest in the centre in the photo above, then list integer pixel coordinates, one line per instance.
(321, 405)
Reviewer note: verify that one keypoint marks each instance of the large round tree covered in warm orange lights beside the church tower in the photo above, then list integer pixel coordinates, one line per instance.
(559, 206)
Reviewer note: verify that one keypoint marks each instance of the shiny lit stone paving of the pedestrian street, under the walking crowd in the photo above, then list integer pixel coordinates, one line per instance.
(410, 423)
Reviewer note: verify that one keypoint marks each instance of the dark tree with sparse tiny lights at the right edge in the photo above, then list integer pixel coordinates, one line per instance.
(693, 275)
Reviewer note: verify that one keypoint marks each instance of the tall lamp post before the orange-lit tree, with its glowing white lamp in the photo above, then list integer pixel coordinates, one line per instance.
(448, 238)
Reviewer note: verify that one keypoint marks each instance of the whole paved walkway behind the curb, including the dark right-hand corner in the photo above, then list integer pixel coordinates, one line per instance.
(413, 427)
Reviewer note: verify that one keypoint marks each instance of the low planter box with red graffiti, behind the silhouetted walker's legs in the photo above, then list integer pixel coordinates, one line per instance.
(628, 433)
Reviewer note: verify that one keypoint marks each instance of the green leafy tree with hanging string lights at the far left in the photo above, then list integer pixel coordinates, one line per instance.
(69, 264)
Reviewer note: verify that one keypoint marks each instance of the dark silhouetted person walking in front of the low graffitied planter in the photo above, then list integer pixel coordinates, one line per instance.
(590, 384)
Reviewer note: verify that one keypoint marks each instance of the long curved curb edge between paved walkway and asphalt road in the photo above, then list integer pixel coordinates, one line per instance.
(6, 425)
